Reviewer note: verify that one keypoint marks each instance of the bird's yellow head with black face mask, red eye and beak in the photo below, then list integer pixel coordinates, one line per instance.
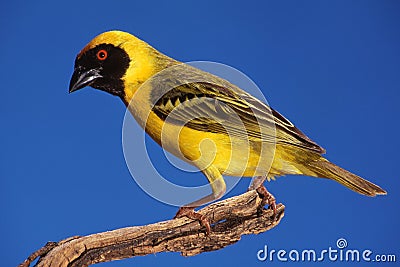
(116, 62)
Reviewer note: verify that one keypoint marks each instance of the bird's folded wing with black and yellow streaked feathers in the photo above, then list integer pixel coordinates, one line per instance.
(214, 105)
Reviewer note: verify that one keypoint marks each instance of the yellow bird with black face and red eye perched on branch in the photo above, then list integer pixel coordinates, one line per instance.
(248, 138)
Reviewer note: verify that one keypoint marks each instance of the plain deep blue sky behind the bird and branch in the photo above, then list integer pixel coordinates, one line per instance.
(331, 67)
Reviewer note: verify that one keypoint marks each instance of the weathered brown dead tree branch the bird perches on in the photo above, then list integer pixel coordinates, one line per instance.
(230, 219)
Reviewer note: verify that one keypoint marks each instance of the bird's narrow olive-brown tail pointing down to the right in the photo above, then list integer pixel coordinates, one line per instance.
(325, 169)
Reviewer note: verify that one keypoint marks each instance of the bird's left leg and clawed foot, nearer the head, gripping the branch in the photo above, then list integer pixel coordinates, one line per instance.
(218, 189)
